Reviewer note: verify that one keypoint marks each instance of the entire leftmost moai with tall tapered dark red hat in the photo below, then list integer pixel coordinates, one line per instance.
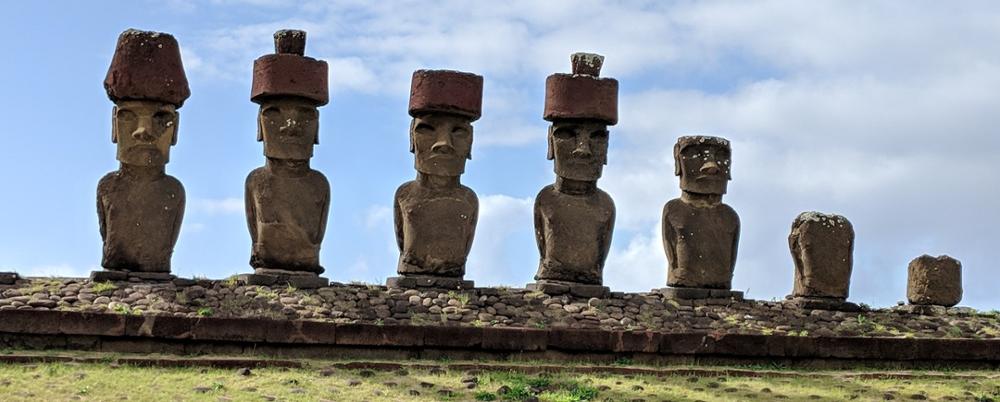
(139, 206)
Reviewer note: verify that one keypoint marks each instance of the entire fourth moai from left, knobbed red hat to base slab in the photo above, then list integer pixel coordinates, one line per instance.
(574, 219)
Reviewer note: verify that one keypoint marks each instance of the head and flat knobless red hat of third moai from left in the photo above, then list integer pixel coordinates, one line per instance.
(443, 105)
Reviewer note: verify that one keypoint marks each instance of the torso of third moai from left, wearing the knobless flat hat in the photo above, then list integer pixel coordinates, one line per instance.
(434, 228)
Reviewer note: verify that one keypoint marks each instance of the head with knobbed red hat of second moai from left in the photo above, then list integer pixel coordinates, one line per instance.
(289, 88)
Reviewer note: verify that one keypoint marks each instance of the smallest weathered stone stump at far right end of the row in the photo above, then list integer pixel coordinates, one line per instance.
(934, 281)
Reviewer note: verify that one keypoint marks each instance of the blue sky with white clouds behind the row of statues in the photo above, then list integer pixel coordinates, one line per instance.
(884, 112)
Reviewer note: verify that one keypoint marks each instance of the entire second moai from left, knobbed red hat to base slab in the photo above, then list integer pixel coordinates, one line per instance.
(286, 201)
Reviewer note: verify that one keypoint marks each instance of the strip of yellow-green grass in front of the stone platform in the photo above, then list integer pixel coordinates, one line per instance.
(106, 381)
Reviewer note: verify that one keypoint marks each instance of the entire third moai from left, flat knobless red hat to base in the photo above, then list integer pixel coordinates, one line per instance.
(435, 215)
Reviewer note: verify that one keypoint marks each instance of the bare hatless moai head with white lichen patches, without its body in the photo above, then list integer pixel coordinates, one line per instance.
(703, 163)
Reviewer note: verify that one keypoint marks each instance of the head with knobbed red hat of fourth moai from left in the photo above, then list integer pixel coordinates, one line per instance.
(580, 106)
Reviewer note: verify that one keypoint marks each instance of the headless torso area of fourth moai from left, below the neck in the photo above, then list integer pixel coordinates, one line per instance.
(573, 234)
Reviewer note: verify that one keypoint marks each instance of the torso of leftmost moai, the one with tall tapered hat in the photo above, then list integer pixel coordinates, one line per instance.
(140, 221)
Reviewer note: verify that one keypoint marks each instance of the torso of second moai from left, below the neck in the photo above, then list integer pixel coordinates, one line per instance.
(287, 219)
